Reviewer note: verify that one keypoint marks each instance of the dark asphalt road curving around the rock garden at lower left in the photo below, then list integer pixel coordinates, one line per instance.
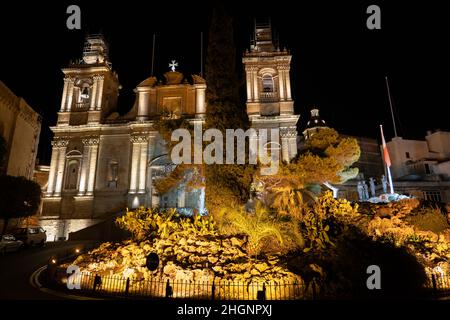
(16, 269)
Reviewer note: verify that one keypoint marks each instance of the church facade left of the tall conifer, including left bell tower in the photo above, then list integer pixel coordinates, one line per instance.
(103, 162)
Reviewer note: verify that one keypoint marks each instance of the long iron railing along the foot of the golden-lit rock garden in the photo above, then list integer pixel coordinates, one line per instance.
(156, 288)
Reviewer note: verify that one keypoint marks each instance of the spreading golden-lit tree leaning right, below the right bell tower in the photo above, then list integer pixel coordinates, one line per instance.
(327, 158)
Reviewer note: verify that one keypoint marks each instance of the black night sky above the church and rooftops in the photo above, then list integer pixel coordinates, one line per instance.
(338, 64)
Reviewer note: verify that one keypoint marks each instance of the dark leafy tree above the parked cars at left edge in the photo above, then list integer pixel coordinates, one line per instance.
(19, 197)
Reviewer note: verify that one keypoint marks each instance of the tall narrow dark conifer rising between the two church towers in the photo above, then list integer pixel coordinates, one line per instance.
(225, 183)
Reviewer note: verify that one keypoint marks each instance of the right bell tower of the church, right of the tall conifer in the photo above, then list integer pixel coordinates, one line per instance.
(269, 99)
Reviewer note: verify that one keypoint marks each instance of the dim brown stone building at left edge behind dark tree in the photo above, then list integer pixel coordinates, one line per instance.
(20, 126)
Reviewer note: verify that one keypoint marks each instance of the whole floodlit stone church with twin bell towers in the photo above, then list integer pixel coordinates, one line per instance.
(103, 162)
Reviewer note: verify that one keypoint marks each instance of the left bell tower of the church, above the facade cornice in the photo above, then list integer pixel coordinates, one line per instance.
(90, 86)
